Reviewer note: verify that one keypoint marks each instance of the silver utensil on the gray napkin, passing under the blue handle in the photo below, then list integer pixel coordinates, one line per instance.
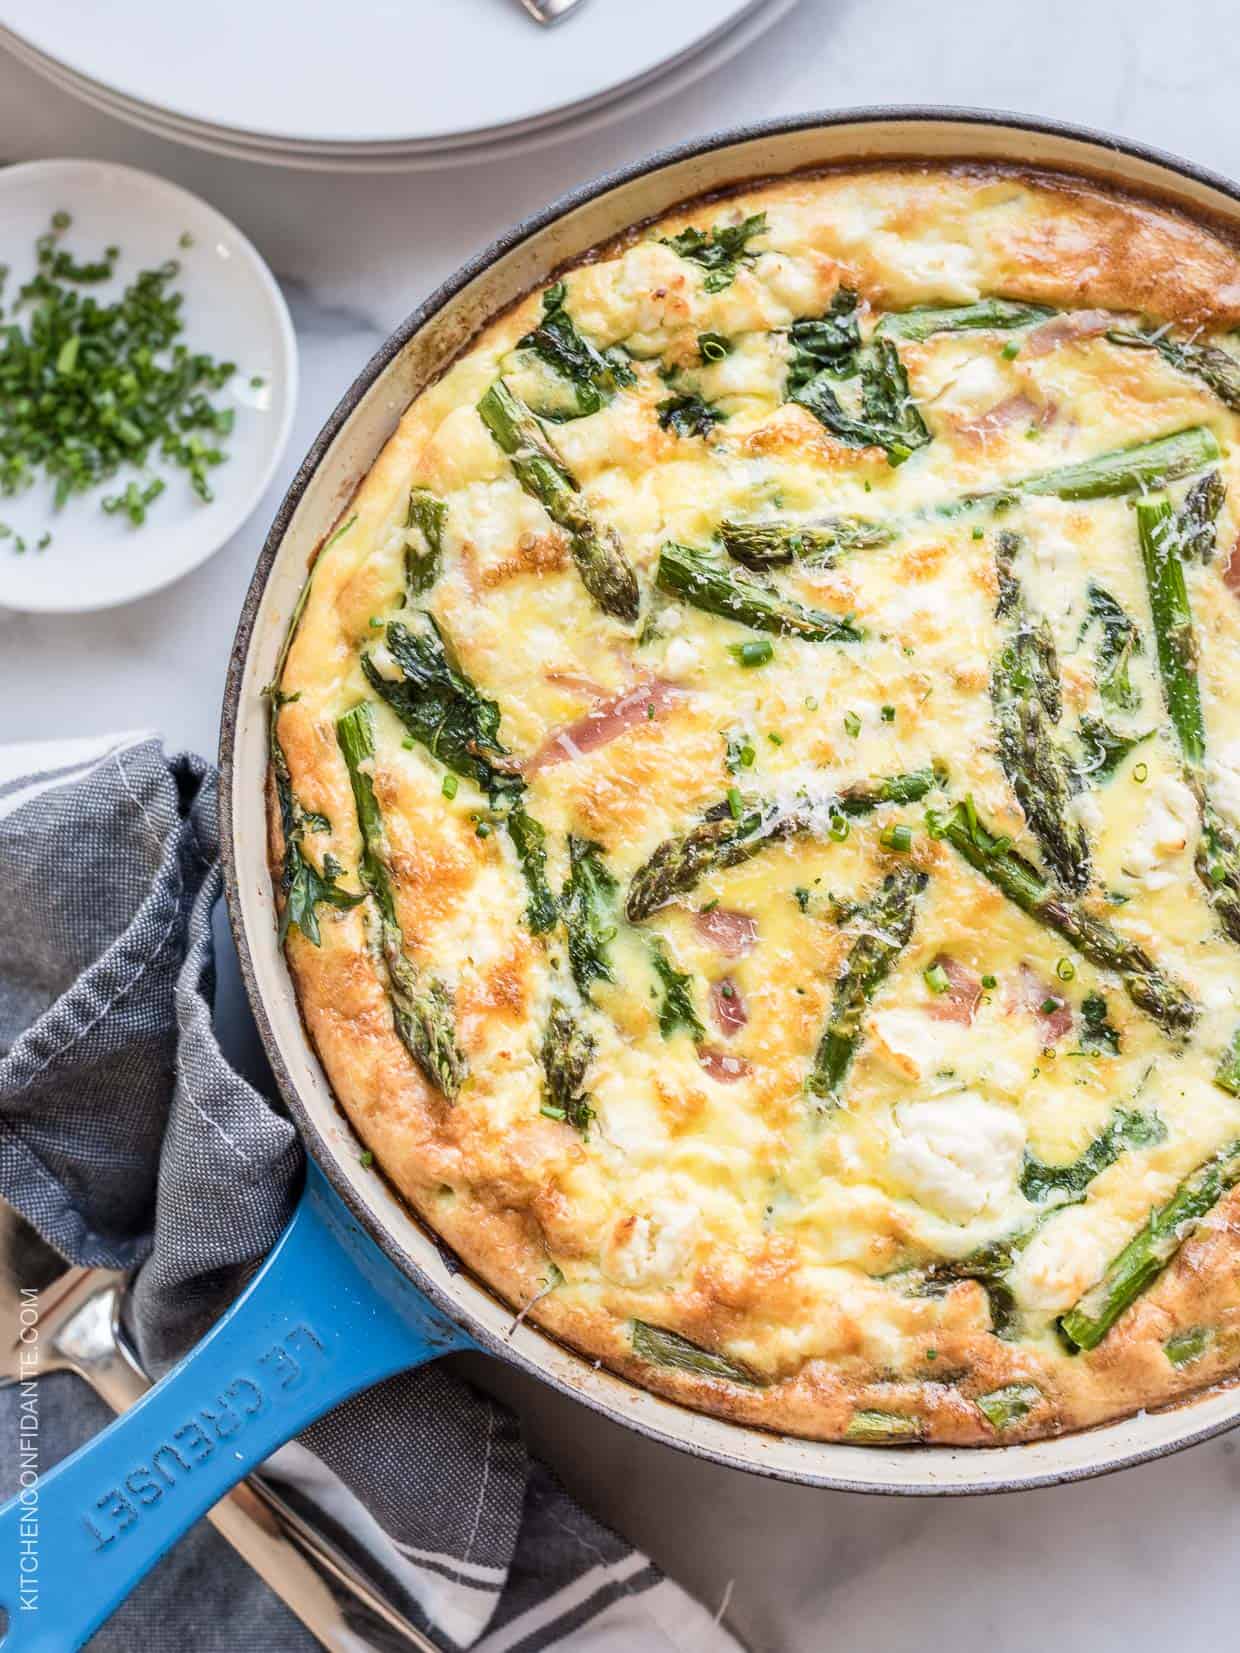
(305, 1570)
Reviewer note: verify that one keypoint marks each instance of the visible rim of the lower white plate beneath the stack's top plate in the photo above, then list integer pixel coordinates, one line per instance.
(341, 158)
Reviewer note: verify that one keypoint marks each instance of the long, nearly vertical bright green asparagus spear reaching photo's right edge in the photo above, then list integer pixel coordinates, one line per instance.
(1218, 859)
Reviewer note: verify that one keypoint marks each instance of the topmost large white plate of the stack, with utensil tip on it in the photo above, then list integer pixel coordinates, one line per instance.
(373, 72)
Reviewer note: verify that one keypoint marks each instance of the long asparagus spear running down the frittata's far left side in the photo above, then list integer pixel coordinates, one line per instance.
(422, 1008)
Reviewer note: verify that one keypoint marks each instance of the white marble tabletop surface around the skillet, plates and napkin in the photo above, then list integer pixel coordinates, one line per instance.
(1142, 1561)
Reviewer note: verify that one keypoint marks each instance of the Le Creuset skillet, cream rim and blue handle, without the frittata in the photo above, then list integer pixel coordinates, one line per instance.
(358, 1287)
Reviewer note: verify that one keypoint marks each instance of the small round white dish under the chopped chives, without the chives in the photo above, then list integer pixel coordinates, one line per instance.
(232, 310)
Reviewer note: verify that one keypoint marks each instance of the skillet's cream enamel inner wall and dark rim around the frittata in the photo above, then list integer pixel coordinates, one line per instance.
(366, 417)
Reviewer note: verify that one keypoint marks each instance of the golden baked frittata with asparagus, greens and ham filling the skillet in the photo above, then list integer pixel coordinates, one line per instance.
(756, 806)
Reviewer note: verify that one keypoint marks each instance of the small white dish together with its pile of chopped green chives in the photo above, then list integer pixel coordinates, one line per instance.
(148, 383)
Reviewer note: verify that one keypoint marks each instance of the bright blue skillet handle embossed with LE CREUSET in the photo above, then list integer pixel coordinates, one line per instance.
(325, 1317)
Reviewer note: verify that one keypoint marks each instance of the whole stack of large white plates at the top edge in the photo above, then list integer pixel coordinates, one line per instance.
(376, 85)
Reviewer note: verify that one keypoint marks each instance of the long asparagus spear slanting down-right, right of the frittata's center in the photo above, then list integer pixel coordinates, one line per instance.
(1019, 880)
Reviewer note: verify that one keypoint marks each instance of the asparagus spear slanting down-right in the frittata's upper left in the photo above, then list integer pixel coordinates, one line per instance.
(606, 573)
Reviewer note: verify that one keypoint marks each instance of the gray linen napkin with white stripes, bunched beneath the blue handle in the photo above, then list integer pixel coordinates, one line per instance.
(128, 1141)
